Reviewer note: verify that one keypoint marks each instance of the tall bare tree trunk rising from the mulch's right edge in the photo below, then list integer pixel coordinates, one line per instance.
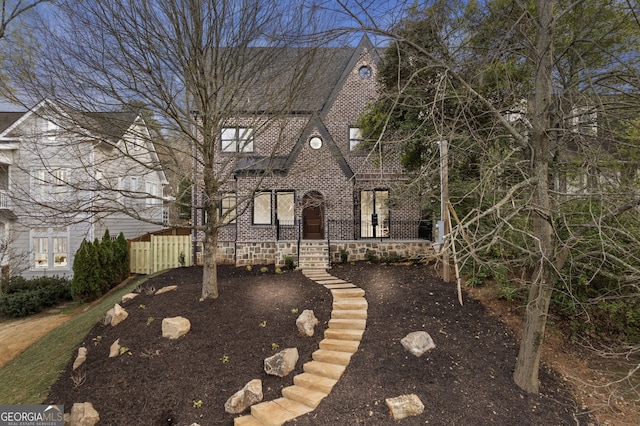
(528, 362)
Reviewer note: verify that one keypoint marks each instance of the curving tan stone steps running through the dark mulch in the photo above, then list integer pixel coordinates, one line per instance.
(341, 340)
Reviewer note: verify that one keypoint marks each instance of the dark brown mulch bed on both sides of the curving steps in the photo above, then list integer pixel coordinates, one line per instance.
(465, 380)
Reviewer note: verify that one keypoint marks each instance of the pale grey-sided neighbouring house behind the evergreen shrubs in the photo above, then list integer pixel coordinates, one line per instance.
(66, 176)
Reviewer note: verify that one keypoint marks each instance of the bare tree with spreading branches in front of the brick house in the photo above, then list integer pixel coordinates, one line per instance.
(197, 66)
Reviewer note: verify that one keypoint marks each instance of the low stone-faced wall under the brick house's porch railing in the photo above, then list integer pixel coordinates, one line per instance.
(260, 253)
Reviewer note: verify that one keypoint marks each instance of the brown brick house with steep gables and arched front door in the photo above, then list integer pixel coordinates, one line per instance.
(302, 188)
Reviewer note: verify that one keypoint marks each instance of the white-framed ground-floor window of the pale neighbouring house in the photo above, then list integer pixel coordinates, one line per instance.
(50, 248)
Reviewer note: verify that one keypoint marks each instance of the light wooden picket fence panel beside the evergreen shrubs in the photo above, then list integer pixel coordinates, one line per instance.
(162, 252)
